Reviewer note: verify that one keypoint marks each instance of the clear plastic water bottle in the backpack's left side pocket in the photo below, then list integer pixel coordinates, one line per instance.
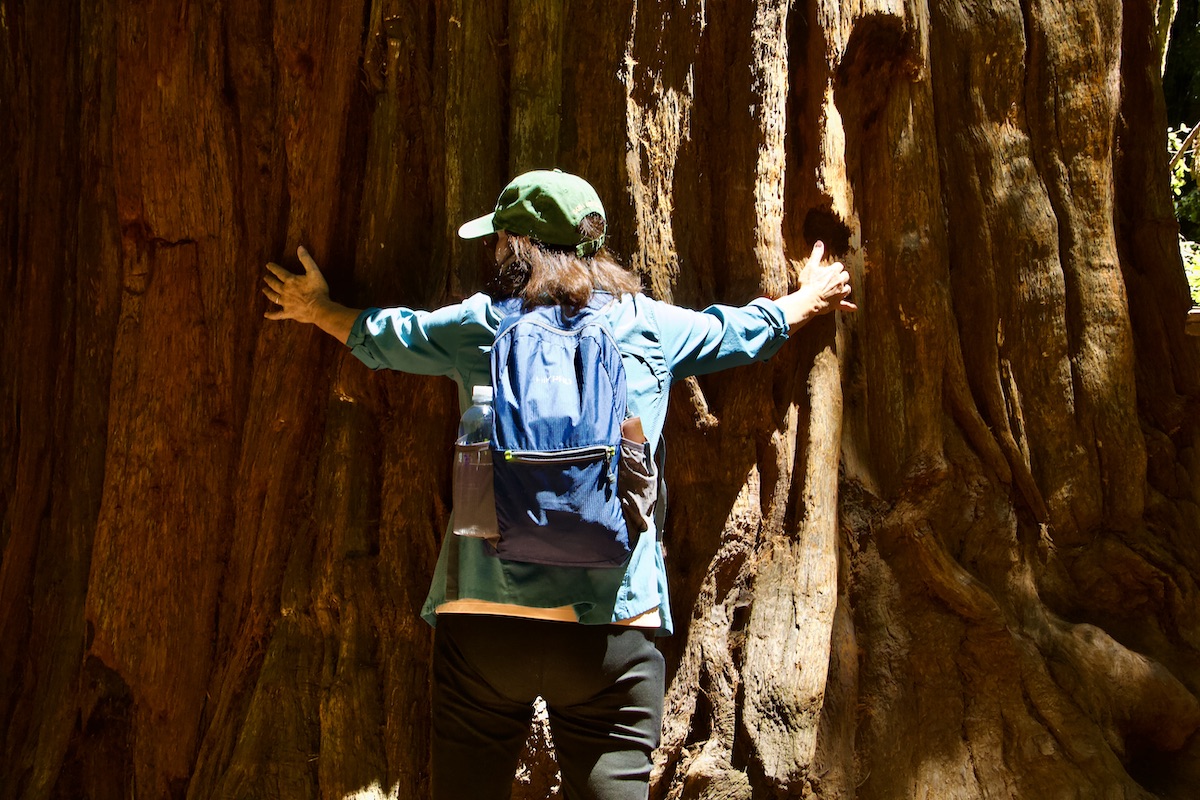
(475, 497)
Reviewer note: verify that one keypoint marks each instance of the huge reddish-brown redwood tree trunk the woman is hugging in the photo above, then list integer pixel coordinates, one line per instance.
(944, 548)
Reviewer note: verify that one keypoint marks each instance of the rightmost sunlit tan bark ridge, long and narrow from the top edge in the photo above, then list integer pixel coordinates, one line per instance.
(1075, 145)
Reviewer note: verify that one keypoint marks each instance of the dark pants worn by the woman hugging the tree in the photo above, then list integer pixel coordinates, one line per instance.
(603, 685)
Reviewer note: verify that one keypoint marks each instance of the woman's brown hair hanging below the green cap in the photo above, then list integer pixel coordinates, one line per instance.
(545, 275)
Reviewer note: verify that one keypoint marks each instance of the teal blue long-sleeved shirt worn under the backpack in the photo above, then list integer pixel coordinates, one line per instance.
(659, 344)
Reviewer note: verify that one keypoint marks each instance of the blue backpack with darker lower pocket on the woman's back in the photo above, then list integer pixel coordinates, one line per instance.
(560, 400)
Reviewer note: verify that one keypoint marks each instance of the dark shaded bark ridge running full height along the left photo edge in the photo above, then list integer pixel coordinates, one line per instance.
(50, 444)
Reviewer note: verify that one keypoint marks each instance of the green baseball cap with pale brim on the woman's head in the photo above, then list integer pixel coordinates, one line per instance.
(547, 206)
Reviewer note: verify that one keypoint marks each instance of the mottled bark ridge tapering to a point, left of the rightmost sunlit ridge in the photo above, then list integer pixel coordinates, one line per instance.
(998, 224)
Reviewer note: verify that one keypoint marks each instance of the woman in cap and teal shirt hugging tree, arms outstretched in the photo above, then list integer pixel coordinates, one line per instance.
(509, 631)
